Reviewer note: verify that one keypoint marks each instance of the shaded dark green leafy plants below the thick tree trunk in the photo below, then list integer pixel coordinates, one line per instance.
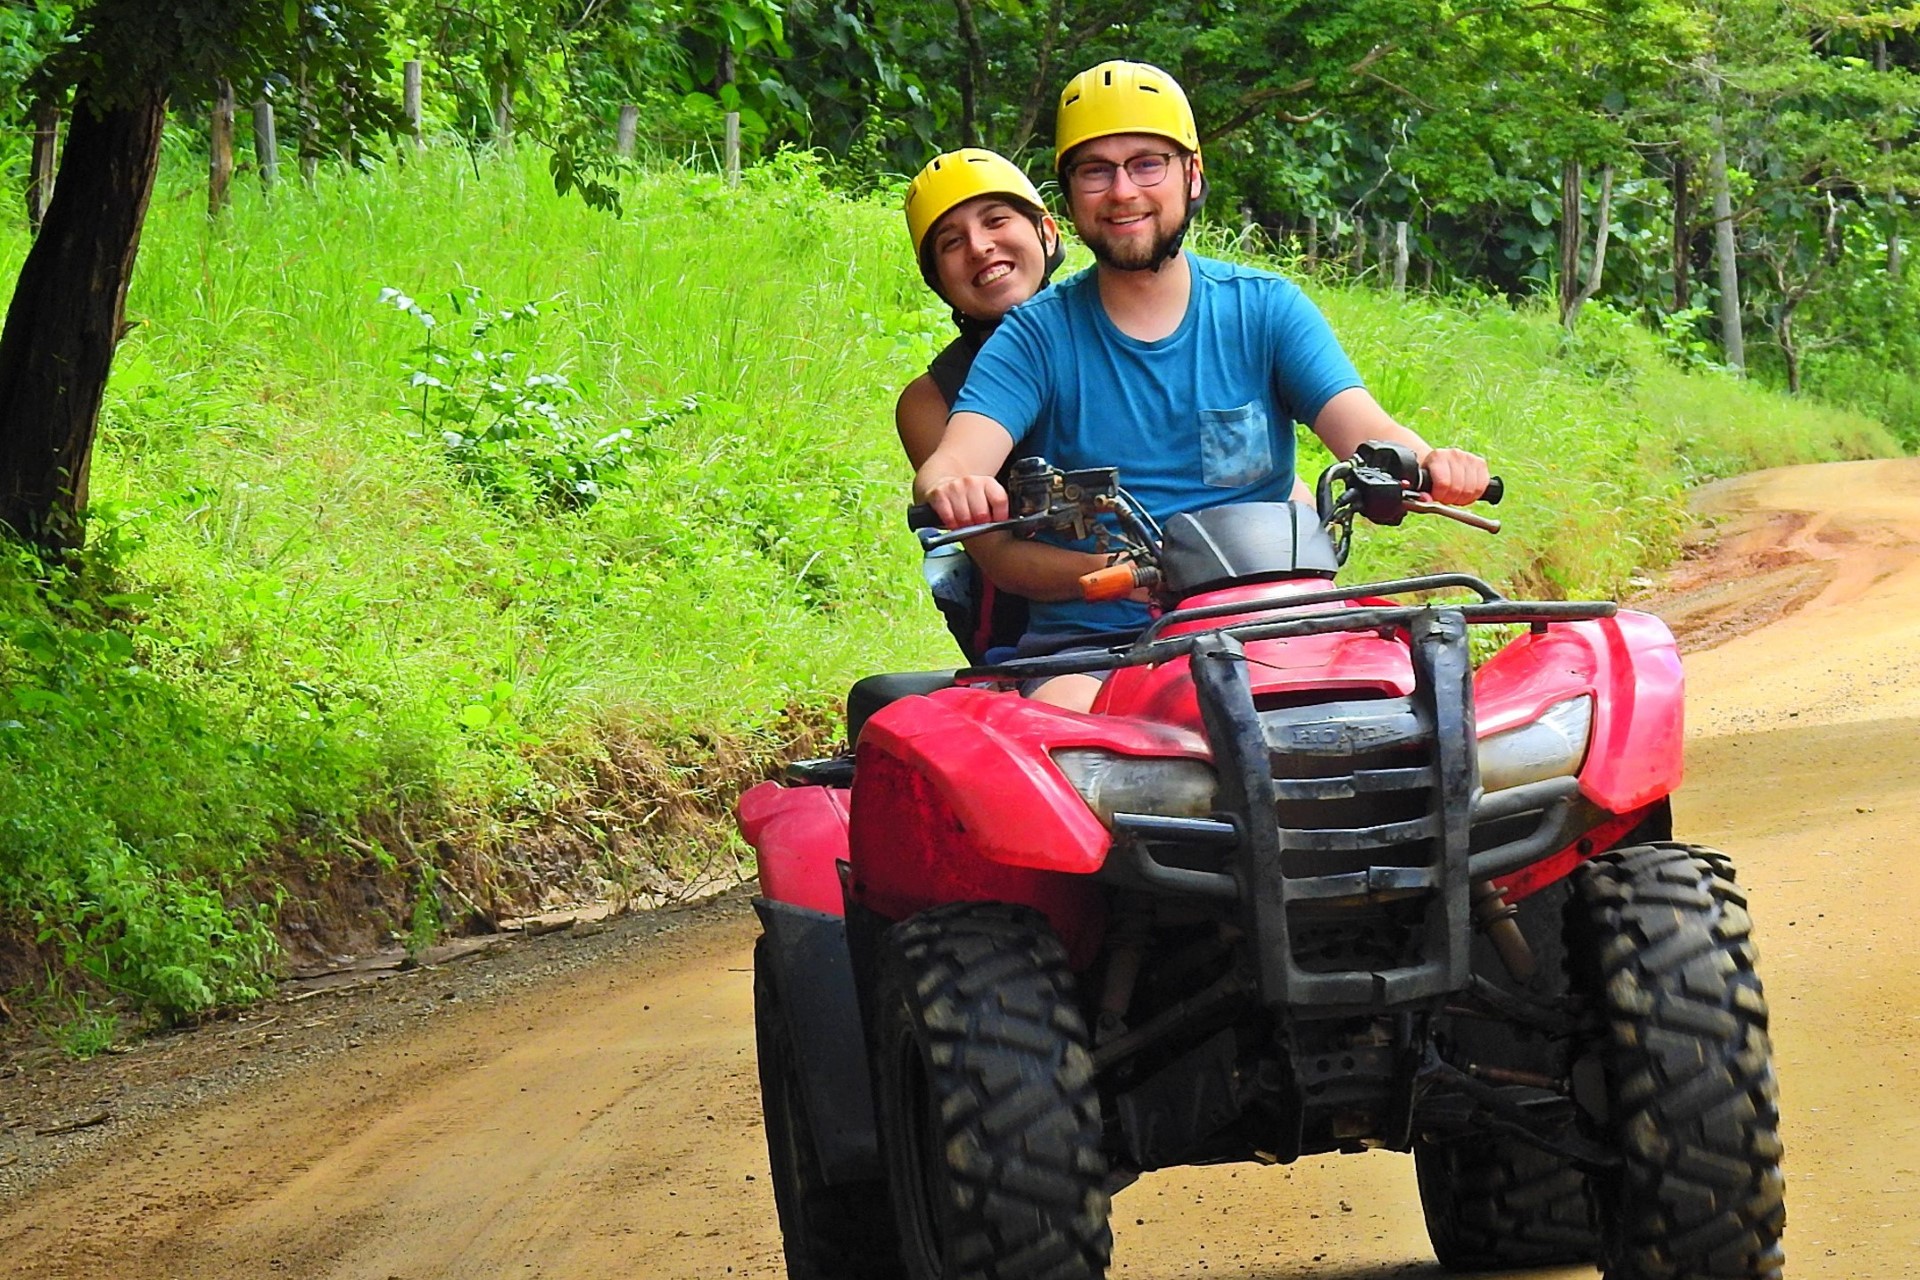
(128, 893)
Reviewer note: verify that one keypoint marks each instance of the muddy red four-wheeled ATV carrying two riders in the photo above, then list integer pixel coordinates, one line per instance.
(1303, 882)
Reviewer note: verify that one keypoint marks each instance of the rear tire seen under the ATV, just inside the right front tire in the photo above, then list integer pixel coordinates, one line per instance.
(1495, 1202)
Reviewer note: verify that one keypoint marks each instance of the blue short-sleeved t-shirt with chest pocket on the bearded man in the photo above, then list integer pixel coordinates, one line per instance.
(1199, 419)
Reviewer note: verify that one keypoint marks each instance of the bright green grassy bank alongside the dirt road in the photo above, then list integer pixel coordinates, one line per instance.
(308, 644)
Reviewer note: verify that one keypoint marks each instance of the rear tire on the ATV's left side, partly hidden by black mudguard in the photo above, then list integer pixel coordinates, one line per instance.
(830, 1233)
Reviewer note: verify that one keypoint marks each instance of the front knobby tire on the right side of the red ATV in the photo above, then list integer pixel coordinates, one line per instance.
(1660, 943)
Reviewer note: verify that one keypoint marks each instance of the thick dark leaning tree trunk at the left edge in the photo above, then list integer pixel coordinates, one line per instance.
(66, 314)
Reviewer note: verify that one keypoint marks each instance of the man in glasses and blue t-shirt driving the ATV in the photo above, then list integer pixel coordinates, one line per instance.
(1189, 369)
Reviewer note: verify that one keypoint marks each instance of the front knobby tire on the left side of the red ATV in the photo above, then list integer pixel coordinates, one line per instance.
(988, 1112)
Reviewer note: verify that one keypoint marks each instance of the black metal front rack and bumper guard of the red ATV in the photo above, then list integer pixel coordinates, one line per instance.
(1341, 807)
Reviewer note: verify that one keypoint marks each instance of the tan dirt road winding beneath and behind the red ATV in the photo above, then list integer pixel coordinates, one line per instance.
(608, 1126)
